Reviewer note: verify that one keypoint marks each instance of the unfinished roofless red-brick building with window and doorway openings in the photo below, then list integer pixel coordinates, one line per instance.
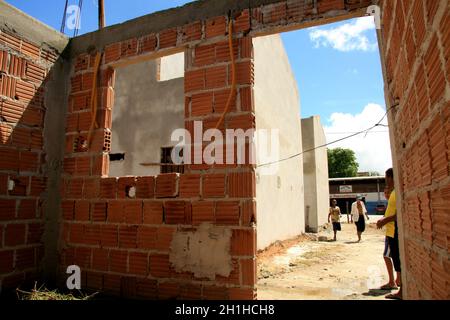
(58, 207)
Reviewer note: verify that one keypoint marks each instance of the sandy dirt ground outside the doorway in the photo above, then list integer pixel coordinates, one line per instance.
(306, 268)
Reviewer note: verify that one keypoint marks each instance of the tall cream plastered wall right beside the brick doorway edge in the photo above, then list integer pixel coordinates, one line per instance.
(279, 195)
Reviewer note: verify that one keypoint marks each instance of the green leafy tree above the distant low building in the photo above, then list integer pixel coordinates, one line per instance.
(342, 163)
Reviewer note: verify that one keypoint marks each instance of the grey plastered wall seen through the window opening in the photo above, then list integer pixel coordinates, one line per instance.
(145, 113)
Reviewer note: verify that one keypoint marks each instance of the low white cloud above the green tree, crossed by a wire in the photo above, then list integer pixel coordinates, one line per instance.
(373, 151)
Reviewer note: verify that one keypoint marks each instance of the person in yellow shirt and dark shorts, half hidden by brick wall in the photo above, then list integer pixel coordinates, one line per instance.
(391, 242)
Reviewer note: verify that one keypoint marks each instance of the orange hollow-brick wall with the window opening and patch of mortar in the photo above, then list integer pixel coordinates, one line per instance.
(122, 244)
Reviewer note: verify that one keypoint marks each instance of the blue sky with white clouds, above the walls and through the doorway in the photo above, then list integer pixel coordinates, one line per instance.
(337, 67)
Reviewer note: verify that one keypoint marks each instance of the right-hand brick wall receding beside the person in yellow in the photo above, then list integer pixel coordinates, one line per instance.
(416, 46)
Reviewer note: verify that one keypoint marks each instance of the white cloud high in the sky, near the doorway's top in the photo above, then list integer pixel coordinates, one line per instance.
(347, 37)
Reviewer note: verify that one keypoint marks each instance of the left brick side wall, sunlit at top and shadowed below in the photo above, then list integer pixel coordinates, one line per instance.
(24, 69)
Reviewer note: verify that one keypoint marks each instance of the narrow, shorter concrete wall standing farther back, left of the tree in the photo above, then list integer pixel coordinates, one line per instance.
(315, 171)
